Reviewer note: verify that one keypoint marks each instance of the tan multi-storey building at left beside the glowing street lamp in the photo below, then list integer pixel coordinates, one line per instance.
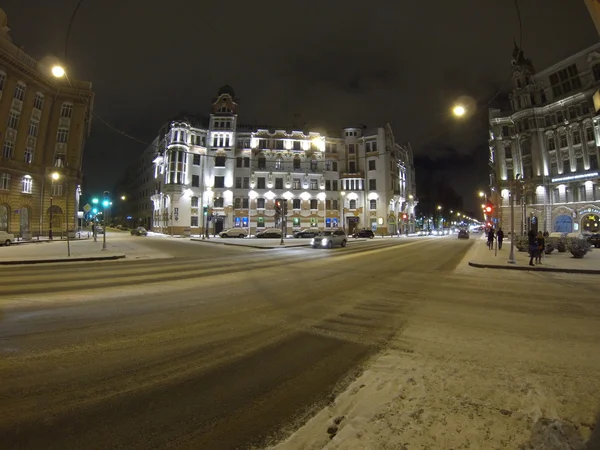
(44, 122)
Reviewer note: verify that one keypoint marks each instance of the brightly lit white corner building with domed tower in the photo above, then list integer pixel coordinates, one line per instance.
(361, 178)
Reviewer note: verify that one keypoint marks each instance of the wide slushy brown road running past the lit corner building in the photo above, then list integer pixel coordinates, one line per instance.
(217, 348)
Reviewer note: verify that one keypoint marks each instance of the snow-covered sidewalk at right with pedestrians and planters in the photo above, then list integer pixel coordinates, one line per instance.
(482, 257)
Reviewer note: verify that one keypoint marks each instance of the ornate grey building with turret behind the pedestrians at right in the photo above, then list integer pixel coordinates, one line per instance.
(546, 145)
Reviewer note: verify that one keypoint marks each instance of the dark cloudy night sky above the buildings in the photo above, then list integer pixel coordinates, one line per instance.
(337, 63)
